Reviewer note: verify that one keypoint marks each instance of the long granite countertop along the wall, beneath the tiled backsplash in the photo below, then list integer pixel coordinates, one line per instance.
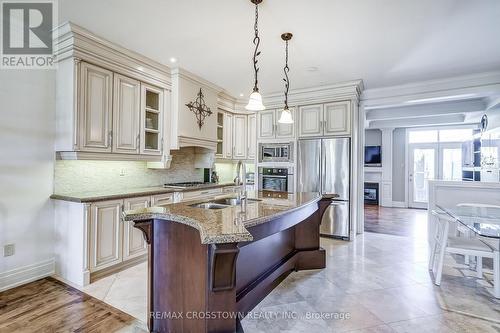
(93, 196)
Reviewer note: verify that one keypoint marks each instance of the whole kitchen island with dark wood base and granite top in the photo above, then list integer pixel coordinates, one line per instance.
(212, 262)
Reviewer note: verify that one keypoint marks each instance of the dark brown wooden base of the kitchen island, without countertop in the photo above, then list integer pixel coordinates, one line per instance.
(196, 287)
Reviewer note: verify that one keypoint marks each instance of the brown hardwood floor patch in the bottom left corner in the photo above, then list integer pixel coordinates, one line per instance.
(48, 305)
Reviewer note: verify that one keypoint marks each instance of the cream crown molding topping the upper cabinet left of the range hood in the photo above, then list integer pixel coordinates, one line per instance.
(73, 41)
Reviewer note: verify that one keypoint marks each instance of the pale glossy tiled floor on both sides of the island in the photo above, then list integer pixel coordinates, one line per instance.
(379, 283)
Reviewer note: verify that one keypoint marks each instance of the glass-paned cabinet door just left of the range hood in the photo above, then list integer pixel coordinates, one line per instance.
(152, 100)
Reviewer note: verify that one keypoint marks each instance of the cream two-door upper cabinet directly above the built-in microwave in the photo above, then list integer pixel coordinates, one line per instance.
(270, 128)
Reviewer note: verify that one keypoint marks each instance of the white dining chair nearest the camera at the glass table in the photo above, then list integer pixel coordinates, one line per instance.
(443, 243)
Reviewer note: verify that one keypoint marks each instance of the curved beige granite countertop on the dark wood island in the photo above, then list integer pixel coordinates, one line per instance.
(229, 224)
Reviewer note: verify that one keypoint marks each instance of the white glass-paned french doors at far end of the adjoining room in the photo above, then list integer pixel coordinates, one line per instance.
(428, 161)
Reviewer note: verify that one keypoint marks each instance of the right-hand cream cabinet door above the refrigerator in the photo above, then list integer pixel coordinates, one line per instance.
(337, 118)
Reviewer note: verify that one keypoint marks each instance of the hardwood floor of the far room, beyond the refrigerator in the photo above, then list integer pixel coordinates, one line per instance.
(395, 221)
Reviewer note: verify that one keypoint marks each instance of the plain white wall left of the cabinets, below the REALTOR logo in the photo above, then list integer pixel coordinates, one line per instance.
(26, 172)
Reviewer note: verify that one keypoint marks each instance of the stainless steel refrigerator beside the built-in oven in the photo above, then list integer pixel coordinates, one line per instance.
(323, 165)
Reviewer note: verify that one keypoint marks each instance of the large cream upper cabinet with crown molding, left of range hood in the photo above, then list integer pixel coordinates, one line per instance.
(111, 103)
